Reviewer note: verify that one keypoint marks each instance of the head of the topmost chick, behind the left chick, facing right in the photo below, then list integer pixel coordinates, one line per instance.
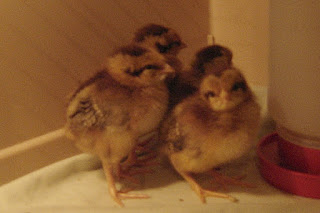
(164, 40)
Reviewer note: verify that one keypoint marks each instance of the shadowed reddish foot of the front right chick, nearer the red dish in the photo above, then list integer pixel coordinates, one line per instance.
(224, 181)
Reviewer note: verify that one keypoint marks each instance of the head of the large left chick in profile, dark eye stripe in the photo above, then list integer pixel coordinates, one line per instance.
(137, 66)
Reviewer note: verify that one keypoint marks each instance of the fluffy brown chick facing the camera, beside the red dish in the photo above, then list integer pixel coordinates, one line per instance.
(214, 126)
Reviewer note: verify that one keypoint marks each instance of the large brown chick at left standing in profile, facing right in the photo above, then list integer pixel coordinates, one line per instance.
(109, 112)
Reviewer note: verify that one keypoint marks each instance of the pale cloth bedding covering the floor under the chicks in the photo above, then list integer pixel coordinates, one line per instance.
(78, 185)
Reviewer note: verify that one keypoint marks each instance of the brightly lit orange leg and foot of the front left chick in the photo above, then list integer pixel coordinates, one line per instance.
(116, 195)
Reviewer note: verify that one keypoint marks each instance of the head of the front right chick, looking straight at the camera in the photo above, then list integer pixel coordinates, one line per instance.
(226, 92)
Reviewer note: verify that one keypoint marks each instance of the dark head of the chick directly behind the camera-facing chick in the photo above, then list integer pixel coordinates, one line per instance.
(212, 60)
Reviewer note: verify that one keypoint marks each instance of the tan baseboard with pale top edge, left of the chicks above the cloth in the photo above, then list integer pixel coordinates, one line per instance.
(33, 154)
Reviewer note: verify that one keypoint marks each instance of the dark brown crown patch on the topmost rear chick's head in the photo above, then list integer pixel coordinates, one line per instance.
(150, 30)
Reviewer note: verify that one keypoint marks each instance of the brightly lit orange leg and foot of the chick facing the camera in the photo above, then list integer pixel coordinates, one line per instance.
(203, 193)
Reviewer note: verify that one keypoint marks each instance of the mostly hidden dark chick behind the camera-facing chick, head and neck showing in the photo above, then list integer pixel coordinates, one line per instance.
(212, 59)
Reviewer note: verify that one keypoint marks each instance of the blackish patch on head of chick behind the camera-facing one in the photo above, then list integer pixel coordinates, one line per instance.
(206, 55)
